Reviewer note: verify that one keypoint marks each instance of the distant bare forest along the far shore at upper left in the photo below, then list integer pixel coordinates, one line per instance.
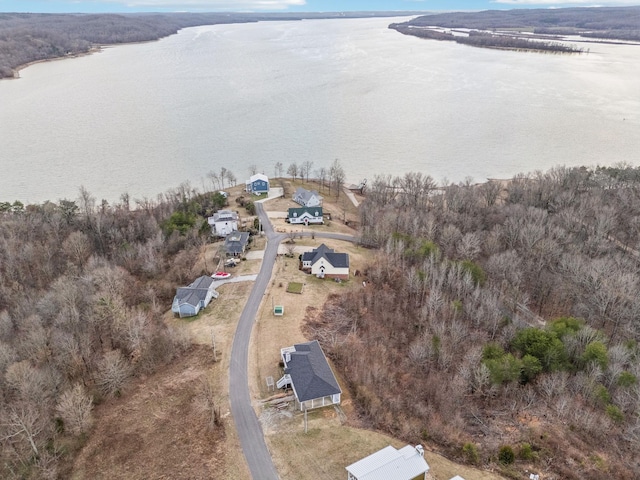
(25, 37)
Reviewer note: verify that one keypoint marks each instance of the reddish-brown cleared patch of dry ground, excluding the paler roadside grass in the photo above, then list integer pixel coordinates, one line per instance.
(157, 430)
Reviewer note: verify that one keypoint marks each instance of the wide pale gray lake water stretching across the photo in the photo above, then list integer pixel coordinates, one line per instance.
(143, 118)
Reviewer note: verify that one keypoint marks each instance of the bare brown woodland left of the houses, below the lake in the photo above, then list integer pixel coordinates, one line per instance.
(83, 290)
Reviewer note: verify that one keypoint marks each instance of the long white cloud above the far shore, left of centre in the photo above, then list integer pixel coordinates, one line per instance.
(211, 5)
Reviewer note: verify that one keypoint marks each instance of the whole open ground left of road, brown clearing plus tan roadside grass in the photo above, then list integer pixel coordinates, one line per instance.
(158, 429)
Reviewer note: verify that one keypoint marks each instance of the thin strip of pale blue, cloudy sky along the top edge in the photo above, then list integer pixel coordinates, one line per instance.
(286, 5)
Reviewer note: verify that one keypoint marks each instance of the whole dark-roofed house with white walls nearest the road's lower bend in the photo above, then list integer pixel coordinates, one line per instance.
(308, 373)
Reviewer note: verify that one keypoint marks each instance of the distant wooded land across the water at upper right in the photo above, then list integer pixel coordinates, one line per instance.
(614, 23)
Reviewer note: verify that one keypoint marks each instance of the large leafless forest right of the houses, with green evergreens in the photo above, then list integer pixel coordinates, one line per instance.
(500, 322)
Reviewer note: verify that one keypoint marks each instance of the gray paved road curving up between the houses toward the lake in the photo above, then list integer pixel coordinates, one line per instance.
(247, 424)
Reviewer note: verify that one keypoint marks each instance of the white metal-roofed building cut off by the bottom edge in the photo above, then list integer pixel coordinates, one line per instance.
(408, 463)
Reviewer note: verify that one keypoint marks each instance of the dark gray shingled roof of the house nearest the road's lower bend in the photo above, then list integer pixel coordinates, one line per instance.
(310, 372)
